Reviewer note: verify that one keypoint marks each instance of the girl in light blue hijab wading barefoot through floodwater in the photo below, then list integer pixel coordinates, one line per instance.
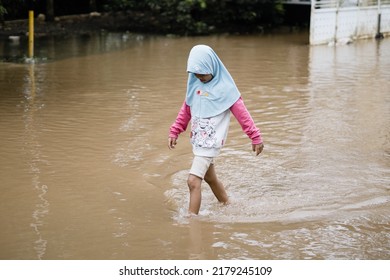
(211, 96)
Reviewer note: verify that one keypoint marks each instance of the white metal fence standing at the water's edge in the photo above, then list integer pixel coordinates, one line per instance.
(334, 21)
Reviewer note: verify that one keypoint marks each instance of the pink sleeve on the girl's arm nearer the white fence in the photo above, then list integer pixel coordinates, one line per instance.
(244, 118)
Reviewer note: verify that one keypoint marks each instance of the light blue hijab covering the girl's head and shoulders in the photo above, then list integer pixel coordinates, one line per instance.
(216, 96)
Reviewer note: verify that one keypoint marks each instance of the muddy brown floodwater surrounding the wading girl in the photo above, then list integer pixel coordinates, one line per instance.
(86, 173)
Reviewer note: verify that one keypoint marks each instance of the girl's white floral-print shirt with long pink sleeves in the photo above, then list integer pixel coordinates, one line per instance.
(239, 111)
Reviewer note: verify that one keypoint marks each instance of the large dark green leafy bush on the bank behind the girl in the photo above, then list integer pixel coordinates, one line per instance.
(206, 16)
